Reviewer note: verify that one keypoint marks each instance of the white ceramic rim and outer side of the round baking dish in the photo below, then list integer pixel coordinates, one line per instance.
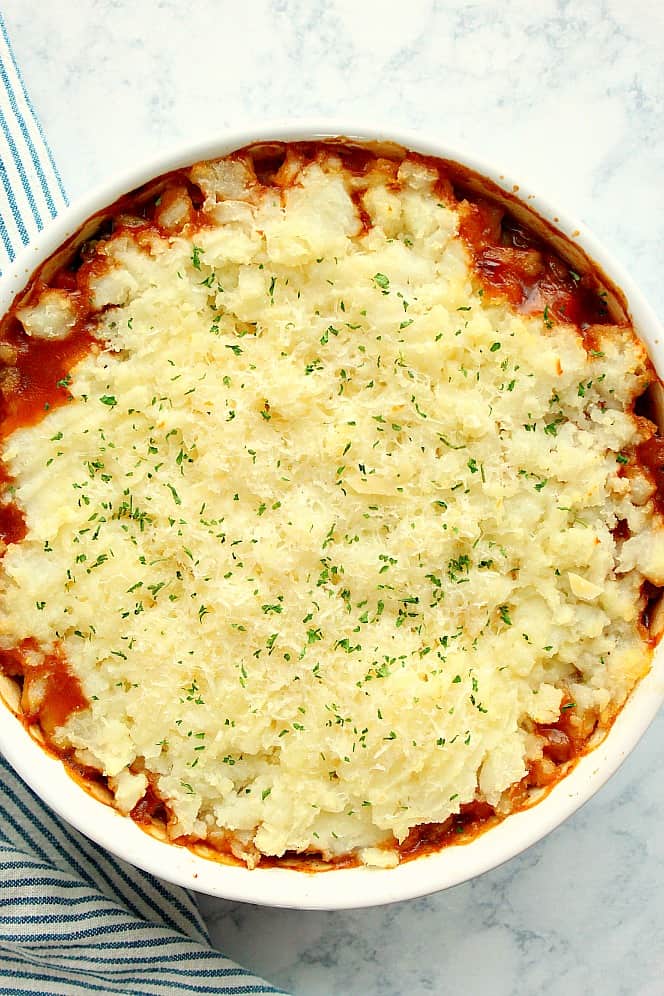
(352, 887)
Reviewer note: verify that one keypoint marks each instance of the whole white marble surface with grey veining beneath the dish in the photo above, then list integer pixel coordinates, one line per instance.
(569, 98)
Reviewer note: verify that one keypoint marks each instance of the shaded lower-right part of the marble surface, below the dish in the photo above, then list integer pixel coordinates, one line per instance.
(578, 914)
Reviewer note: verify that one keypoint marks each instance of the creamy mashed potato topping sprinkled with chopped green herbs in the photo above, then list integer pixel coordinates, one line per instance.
(326, 532)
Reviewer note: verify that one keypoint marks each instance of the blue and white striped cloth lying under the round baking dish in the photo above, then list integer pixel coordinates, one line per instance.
(73, 919)
